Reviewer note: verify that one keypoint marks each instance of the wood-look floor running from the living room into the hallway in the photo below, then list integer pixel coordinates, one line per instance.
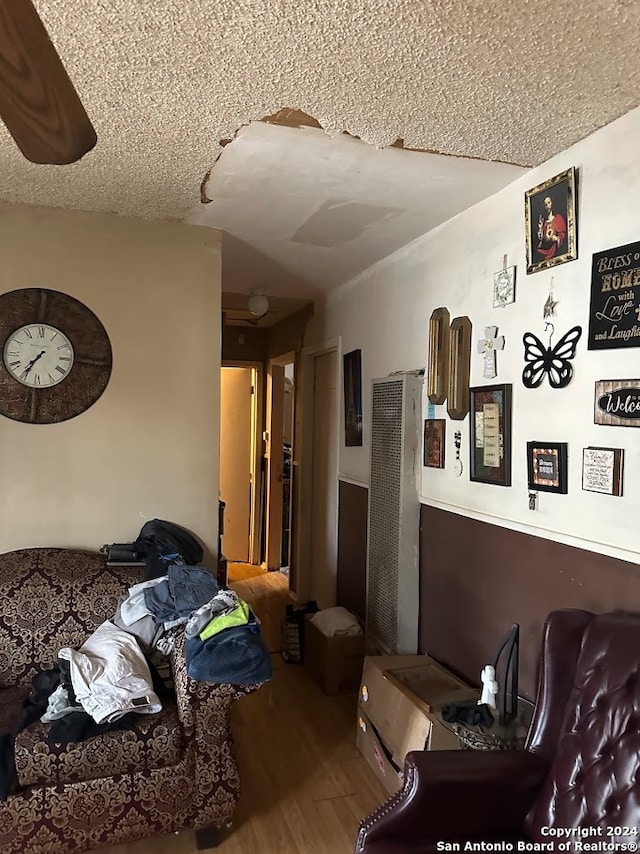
(304, 785)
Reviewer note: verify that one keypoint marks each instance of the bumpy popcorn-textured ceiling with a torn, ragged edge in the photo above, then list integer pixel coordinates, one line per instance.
(165, 80)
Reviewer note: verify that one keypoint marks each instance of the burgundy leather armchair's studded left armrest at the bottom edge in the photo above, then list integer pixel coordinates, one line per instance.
(456, 795)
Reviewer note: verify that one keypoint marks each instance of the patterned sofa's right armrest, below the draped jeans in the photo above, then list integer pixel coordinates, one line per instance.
(204, 711)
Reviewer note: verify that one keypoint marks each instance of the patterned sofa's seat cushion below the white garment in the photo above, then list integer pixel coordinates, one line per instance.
(154, 742)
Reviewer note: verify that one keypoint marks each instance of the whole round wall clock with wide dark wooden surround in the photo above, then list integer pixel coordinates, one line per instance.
(55, 356)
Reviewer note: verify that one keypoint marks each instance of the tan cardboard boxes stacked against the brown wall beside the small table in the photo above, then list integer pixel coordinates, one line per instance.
(398, 695)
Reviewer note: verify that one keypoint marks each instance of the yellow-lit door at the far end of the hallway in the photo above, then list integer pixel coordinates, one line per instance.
(236, 390)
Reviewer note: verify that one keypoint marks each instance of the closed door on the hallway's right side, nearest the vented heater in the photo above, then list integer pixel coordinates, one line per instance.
(324, 505)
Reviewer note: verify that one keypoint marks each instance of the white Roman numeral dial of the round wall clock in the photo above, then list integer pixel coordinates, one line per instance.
(38, 355)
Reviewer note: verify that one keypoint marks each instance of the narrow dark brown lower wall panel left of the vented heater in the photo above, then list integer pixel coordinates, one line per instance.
(353, 504)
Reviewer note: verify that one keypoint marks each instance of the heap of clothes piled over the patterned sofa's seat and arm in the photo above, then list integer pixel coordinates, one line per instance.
(122, 670)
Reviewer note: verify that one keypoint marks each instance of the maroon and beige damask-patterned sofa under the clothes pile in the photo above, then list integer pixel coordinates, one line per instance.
(174, 770)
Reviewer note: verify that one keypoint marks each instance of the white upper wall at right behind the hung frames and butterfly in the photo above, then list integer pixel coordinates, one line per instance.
(385, 312)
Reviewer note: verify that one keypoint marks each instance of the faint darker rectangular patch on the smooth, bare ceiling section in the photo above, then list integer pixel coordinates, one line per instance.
(338, 222)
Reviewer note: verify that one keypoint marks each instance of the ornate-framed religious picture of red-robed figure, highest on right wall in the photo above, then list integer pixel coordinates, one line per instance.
(551, 222)
